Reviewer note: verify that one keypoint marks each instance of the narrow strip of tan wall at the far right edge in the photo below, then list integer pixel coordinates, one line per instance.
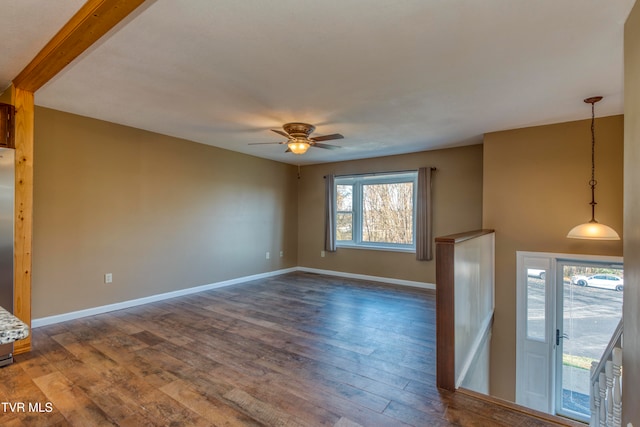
(631, 308)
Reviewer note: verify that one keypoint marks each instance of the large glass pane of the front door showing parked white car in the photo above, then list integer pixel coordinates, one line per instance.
(592, 308)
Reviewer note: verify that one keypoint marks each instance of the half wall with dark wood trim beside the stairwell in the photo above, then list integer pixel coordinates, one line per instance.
(465, 282)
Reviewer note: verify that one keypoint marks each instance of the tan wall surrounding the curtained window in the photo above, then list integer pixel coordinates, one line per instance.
(457, 197)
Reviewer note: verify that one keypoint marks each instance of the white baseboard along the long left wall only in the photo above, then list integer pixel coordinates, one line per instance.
(50, 320)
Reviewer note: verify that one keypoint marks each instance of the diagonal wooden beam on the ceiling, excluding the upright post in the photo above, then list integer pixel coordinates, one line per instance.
(94, 19)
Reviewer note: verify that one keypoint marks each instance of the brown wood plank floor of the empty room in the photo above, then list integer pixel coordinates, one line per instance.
(295, 350)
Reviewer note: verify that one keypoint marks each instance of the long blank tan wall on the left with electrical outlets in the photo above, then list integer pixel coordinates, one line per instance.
(157, 212)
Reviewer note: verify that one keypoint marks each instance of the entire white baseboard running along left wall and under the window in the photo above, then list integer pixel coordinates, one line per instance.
(50, 320)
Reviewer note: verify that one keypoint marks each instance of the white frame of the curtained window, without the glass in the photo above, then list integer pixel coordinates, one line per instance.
(358, 181)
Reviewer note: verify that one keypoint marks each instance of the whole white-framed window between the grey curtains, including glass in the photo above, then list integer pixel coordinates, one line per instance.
(376, 210)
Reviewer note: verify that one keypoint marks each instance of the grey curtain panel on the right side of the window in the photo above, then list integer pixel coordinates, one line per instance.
(424, 250)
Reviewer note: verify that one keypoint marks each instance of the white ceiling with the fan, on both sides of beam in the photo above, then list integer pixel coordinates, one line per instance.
(391, 76)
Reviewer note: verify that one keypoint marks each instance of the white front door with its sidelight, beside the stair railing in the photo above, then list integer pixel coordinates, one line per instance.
(568, 308)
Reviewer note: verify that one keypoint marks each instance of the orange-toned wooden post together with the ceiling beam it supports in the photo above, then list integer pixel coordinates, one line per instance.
(86, 27)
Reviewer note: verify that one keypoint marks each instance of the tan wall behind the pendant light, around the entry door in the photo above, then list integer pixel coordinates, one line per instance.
(535, 189)
